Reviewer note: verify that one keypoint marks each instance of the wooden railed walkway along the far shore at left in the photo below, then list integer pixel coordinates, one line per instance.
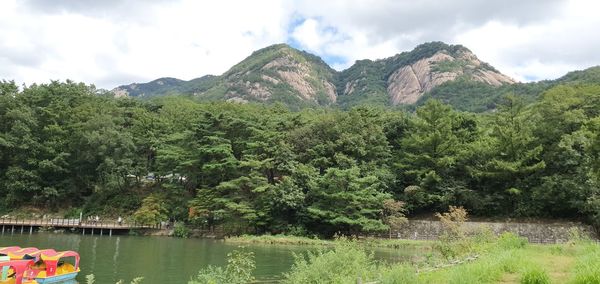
(12, 225)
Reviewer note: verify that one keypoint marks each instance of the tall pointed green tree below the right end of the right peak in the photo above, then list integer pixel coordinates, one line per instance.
(508, 160)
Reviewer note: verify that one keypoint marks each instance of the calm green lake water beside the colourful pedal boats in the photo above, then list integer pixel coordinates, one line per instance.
(163, 259)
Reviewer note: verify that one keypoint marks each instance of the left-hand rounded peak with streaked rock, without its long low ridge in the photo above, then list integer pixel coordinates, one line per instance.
(277, 73)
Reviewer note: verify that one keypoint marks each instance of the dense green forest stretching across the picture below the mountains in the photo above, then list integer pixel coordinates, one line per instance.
(259, 168)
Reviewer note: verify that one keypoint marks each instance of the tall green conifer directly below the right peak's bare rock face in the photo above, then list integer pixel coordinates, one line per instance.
(428, 157)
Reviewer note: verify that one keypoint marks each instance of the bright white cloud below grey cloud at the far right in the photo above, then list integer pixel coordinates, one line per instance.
(544, 50)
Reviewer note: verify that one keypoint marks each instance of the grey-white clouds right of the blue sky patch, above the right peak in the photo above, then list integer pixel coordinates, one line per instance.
(523, 38)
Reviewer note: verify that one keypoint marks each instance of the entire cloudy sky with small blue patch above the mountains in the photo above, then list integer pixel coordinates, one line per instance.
(112, 42)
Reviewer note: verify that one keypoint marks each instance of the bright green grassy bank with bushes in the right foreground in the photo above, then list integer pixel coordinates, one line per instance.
(506, 260)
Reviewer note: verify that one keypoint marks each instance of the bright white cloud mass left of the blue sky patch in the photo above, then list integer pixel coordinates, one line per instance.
(184, 39)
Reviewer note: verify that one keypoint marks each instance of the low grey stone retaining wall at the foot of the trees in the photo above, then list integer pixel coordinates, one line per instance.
(535, 232)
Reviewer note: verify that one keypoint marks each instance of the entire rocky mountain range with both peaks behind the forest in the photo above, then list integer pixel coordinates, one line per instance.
(280, 73)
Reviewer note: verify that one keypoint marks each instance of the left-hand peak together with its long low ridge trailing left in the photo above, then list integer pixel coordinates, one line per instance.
(277, 73)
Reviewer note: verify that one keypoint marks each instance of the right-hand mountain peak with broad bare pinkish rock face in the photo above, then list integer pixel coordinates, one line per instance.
(406, 77)
